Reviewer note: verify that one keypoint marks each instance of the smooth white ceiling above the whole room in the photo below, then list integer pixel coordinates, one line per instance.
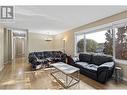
(57, 19)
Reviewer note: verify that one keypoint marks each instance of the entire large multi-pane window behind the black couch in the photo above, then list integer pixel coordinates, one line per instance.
(110, 41)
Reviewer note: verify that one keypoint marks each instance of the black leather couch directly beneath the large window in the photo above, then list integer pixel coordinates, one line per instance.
(99, 67)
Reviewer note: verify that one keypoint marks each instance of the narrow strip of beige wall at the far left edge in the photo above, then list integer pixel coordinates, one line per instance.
(1, 47)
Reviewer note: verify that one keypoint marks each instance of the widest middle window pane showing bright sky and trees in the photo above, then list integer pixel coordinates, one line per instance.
(100, 42)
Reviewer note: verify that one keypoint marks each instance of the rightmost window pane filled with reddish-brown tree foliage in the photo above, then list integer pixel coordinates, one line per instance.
(121, 43)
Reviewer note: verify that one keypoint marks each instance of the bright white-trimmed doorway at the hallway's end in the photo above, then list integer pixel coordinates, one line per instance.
(19, 44)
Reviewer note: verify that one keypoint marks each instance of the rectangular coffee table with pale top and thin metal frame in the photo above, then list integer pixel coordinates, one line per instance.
(71, 74)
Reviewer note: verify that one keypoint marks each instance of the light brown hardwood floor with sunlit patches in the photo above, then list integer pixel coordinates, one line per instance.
(18, 75)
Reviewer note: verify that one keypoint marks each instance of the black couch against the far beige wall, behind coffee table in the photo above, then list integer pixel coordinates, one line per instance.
(37, 59)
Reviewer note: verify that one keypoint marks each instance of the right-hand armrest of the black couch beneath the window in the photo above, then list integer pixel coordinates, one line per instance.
(103, 71)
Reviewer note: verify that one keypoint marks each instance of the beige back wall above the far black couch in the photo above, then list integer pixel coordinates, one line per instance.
(37, 43)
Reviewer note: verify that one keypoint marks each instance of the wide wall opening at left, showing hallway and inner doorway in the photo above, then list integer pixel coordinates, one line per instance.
(15, 42)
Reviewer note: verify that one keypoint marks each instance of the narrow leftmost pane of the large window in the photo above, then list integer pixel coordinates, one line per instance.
(80, 43)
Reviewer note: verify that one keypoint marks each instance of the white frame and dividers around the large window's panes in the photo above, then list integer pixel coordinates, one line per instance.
(110, 26)
